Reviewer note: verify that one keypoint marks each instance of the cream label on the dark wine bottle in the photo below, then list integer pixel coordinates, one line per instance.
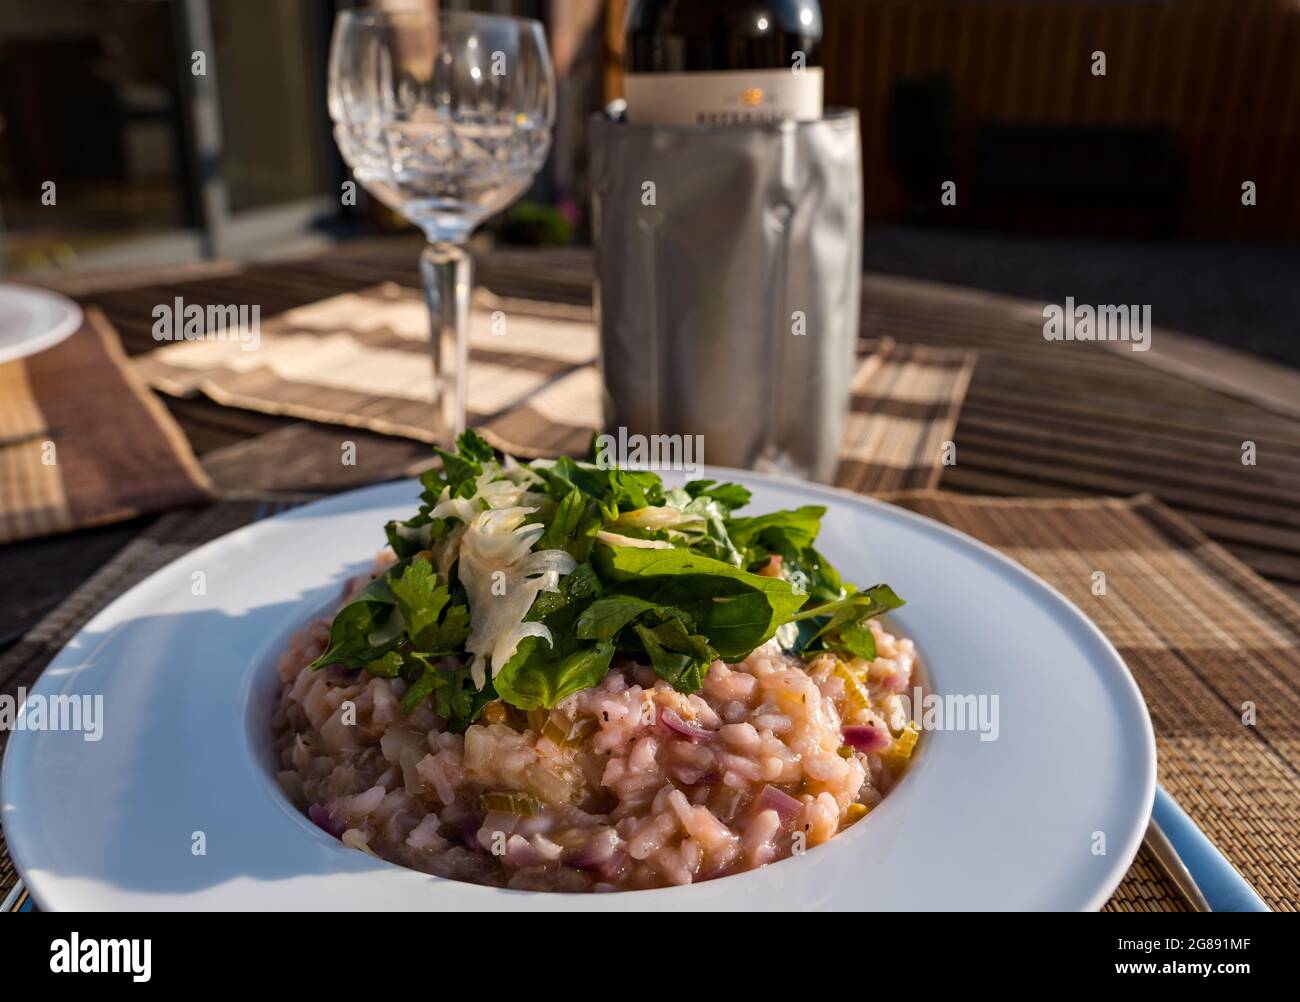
(725, 98)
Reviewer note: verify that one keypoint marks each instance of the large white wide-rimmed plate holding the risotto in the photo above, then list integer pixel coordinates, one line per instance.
(189, 683)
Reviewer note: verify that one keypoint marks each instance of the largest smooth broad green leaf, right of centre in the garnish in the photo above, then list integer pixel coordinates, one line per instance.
(735, 610)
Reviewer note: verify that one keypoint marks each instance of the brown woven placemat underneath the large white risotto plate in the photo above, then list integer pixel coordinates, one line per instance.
(1202, 634)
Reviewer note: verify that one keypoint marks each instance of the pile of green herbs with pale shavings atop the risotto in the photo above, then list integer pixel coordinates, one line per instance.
(666, 578)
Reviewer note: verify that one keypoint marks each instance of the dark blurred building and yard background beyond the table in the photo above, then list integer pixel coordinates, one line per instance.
(1125, 188)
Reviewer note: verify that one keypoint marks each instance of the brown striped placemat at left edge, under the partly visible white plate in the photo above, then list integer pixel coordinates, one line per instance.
(84, 443)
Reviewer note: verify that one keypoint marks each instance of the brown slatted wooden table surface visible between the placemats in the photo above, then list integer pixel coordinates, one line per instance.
(1041, 419)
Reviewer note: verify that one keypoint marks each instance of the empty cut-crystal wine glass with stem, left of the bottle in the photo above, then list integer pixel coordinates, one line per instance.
(445, 118)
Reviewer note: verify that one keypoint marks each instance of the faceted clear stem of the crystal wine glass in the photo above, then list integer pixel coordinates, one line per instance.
(445, 270)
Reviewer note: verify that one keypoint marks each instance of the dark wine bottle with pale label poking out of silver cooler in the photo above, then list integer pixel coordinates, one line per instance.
(723, 62)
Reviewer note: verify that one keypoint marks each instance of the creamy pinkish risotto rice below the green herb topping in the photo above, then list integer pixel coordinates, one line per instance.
(623, 801)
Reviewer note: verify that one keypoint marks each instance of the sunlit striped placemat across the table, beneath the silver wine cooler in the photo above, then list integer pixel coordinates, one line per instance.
(362, 361)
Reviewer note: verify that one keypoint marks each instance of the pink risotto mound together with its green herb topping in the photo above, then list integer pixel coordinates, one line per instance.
(647, 740)
